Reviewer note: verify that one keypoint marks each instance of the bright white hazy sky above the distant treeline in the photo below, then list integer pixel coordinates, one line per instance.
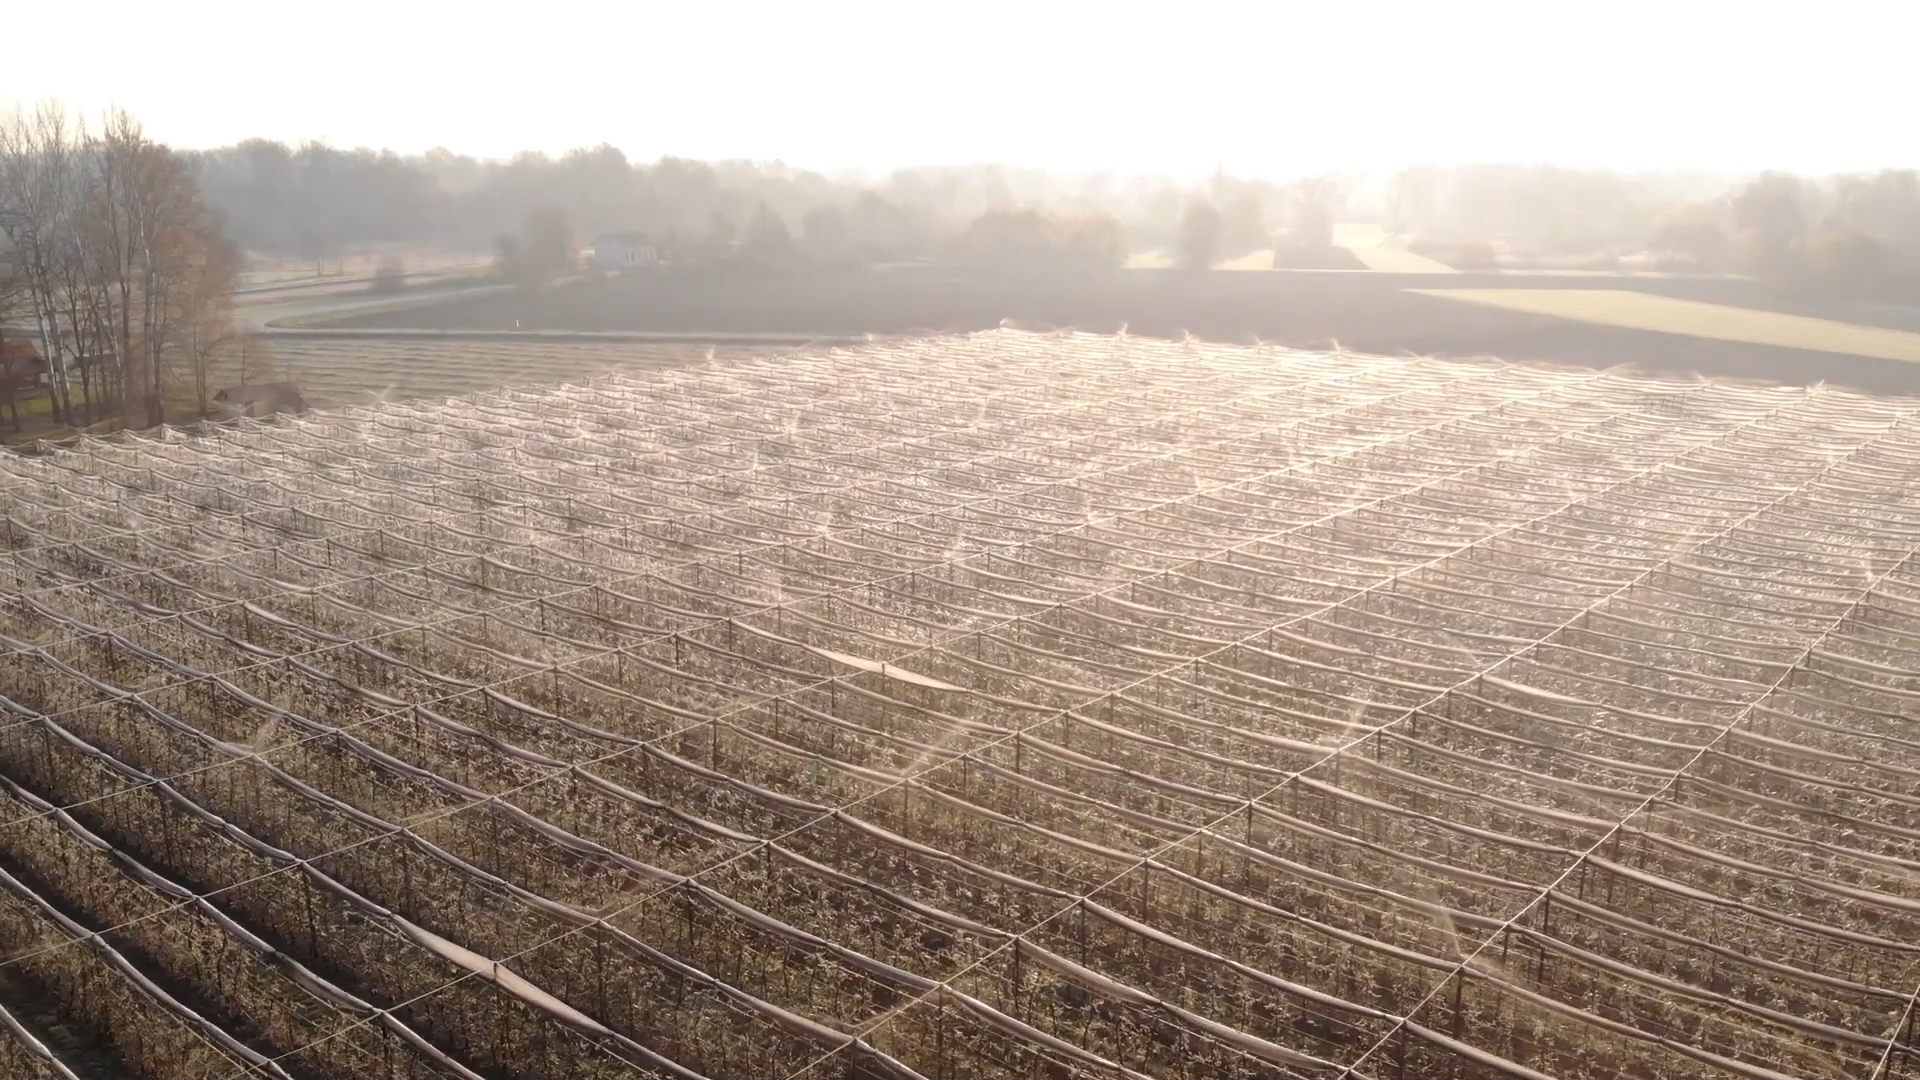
(1170, 87)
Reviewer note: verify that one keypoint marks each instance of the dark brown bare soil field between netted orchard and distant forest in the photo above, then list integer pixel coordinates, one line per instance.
(1364, 312)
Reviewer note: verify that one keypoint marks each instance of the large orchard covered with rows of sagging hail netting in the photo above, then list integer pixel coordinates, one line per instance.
(990, 706)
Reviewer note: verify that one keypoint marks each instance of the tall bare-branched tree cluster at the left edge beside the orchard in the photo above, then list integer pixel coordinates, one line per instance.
(112, 258)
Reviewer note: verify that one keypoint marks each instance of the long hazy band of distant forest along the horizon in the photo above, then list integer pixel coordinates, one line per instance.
(324, 203)
